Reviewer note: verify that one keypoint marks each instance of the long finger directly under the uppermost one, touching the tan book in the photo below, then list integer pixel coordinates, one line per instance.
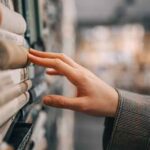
(56, 64)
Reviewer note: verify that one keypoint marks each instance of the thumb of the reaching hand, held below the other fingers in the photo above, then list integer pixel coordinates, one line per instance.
(63, 102)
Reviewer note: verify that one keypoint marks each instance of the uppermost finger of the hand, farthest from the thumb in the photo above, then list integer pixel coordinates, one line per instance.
(53, 56)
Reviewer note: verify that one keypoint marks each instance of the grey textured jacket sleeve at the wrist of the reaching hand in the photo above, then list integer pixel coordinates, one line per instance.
(131, 126)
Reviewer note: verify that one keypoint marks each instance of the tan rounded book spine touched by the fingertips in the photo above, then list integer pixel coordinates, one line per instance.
(12, 56)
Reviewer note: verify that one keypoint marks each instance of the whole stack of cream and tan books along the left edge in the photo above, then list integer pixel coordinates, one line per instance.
(14, 75)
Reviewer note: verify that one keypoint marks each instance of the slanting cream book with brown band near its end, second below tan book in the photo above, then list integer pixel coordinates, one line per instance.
(13, 92)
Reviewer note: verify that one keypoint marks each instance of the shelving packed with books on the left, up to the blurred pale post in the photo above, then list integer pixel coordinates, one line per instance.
(26, 123)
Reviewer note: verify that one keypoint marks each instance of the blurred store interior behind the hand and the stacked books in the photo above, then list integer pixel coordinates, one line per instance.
(110, 38)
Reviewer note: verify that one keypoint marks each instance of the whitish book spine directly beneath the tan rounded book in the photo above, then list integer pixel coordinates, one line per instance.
(13, 77)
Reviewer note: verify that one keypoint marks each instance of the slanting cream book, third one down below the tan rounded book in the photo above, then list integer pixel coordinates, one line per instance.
(11, 108)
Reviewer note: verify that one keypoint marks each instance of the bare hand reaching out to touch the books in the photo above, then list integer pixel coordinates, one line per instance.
(93, 95)
